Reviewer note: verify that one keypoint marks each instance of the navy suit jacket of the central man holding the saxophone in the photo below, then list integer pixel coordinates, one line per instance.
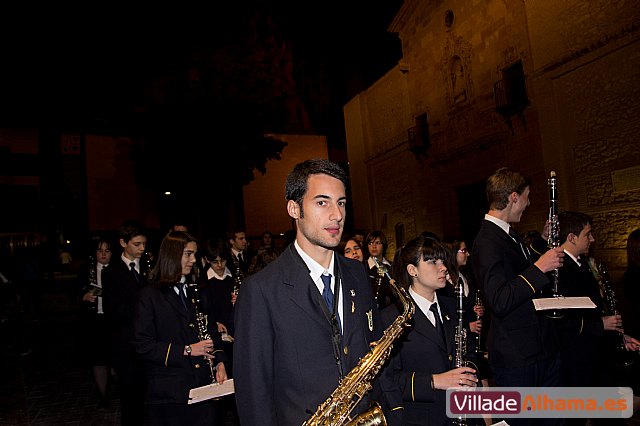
(284, 362)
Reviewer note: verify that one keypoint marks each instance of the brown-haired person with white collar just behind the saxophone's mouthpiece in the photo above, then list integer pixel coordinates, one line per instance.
(376, 246)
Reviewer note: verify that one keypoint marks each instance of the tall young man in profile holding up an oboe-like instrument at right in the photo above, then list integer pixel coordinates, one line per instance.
(523, 350)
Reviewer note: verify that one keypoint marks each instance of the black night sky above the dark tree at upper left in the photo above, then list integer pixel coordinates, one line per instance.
(76, 66)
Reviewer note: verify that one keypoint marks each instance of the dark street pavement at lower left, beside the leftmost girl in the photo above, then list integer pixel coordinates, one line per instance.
(52, 384)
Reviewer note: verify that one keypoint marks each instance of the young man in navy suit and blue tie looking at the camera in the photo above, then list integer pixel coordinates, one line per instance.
(293, 344)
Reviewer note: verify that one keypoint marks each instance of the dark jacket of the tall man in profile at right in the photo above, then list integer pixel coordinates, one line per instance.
(519, 336)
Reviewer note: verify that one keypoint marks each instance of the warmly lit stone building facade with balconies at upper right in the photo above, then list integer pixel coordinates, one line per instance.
(535, 86)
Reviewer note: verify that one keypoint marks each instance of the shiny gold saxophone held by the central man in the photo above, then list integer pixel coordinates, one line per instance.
(335, 411)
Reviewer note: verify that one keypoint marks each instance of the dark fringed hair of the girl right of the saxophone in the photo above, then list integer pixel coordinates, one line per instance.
(424, 248)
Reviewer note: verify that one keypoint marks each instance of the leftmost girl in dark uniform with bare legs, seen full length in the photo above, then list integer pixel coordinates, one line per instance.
(93, 328)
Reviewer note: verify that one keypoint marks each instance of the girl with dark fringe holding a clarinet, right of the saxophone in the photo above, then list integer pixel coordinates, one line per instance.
(421, 367)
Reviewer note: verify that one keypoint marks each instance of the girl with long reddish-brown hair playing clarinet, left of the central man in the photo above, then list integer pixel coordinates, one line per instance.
(176, 356)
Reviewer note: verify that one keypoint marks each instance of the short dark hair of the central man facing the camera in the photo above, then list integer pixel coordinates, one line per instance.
(297, 182)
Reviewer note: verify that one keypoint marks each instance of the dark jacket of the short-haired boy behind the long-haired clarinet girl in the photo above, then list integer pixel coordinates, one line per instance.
(120, 292)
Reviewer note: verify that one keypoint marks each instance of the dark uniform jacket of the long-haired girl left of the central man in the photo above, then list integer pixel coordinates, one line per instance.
(162, 328)
